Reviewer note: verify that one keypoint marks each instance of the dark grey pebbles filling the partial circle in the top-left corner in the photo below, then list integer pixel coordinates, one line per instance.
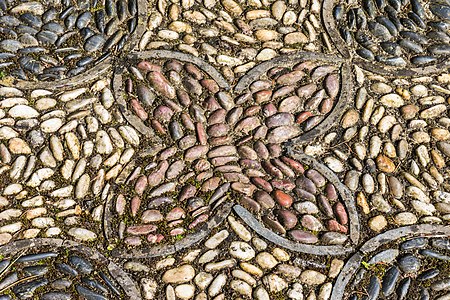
(59, 39)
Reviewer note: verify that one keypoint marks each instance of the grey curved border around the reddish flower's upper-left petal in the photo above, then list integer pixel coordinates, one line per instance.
(118, 84)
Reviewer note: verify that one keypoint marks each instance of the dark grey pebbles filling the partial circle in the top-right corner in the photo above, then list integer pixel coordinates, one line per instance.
(397, 33)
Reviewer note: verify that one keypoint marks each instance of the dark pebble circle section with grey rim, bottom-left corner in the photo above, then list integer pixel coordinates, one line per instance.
(50, 269)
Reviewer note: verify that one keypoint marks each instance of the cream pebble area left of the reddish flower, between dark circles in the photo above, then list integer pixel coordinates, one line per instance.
(57, 159)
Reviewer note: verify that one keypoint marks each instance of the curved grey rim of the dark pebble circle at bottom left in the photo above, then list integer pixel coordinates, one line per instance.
(128, 285)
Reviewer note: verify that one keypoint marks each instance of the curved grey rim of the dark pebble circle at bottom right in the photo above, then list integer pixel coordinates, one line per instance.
(353, 264)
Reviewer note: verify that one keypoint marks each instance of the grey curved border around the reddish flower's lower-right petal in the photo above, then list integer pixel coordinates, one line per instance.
(347, 198)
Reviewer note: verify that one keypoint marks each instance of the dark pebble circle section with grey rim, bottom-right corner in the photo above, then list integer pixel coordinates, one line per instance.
(405, 268)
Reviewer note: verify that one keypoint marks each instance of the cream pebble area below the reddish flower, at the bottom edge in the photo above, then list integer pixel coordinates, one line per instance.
(233, 263)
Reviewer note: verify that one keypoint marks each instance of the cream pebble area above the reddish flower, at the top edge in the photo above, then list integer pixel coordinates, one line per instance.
(236, 35)
